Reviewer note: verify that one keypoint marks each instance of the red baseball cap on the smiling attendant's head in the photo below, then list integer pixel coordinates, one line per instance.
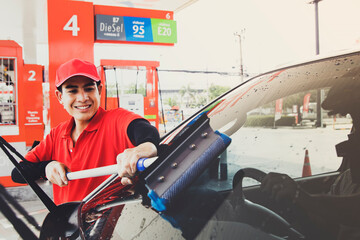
(76, 67)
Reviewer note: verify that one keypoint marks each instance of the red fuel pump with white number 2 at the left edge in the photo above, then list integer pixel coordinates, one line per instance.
(21, 104)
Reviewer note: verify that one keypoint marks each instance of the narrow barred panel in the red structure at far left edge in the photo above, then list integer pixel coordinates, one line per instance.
(7, 91)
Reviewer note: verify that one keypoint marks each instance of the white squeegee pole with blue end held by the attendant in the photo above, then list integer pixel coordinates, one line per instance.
(141, 165)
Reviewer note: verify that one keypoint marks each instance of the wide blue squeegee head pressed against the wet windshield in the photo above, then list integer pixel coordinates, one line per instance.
(187, 157)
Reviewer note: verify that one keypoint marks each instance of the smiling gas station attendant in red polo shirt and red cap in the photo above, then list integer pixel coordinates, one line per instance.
(92, 138)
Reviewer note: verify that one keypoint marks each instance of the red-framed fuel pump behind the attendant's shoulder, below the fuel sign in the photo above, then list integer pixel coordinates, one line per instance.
(132, 85)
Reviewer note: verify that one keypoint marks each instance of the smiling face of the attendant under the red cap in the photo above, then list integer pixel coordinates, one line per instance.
(80, 97)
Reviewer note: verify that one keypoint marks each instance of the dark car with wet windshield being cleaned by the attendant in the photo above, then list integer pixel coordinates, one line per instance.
(212, 206)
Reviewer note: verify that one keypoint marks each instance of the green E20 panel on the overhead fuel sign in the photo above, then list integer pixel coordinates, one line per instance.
(164, 31)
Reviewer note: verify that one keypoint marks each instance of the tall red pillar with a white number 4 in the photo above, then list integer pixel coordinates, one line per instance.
(71, 35)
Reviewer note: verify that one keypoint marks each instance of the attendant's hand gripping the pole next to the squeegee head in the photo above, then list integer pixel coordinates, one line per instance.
(127, 160)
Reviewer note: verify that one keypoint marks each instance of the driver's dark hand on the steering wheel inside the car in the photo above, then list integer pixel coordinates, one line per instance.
(279, 186)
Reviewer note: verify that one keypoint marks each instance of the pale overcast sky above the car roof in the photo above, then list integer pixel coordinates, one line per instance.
(274, 32)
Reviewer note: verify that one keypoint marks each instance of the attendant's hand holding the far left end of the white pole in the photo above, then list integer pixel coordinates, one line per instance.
(56, 173)
